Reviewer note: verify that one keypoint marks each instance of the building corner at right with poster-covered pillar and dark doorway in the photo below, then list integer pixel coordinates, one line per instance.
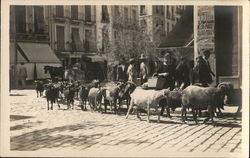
(219, 29)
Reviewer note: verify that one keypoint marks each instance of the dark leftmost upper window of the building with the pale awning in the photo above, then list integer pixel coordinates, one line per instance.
(20, 19)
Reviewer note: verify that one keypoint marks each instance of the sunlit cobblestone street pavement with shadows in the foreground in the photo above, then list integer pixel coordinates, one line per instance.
(33, 127)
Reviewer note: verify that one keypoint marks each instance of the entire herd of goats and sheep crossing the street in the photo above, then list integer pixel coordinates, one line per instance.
(100, 95)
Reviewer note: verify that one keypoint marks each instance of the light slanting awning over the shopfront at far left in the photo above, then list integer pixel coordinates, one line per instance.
(38, 53)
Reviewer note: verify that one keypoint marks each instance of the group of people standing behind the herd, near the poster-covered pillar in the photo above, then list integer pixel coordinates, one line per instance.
(179, 74)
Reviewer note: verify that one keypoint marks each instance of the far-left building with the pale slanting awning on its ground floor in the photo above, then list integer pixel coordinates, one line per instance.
(29, 39)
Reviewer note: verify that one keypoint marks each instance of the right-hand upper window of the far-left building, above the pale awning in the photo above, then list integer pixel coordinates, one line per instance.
(39, 19)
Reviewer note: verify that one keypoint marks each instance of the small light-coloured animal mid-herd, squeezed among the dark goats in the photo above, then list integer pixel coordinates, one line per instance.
(95, 97)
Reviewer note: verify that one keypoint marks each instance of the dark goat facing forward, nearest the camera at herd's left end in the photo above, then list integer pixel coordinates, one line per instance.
(52, 94)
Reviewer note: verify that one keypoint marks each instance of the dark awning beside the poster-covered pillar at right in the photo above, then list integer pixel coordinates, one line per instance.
(182, 33)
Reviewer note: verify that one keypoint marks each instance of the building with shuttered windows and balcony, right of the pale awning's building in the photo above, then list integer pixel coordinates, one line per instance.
(72, 31)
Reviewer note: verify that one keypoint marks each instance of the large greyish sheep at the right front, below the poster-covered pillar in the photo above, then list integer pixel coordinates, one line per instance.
(202, 98)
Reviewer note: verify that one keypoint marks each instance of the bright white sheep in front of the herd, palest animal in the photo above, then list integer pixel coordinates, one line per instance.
(146, 99)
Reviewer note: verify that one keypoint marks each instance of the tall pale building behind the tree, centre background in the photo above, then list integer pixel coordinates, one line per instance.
(115, 27)
